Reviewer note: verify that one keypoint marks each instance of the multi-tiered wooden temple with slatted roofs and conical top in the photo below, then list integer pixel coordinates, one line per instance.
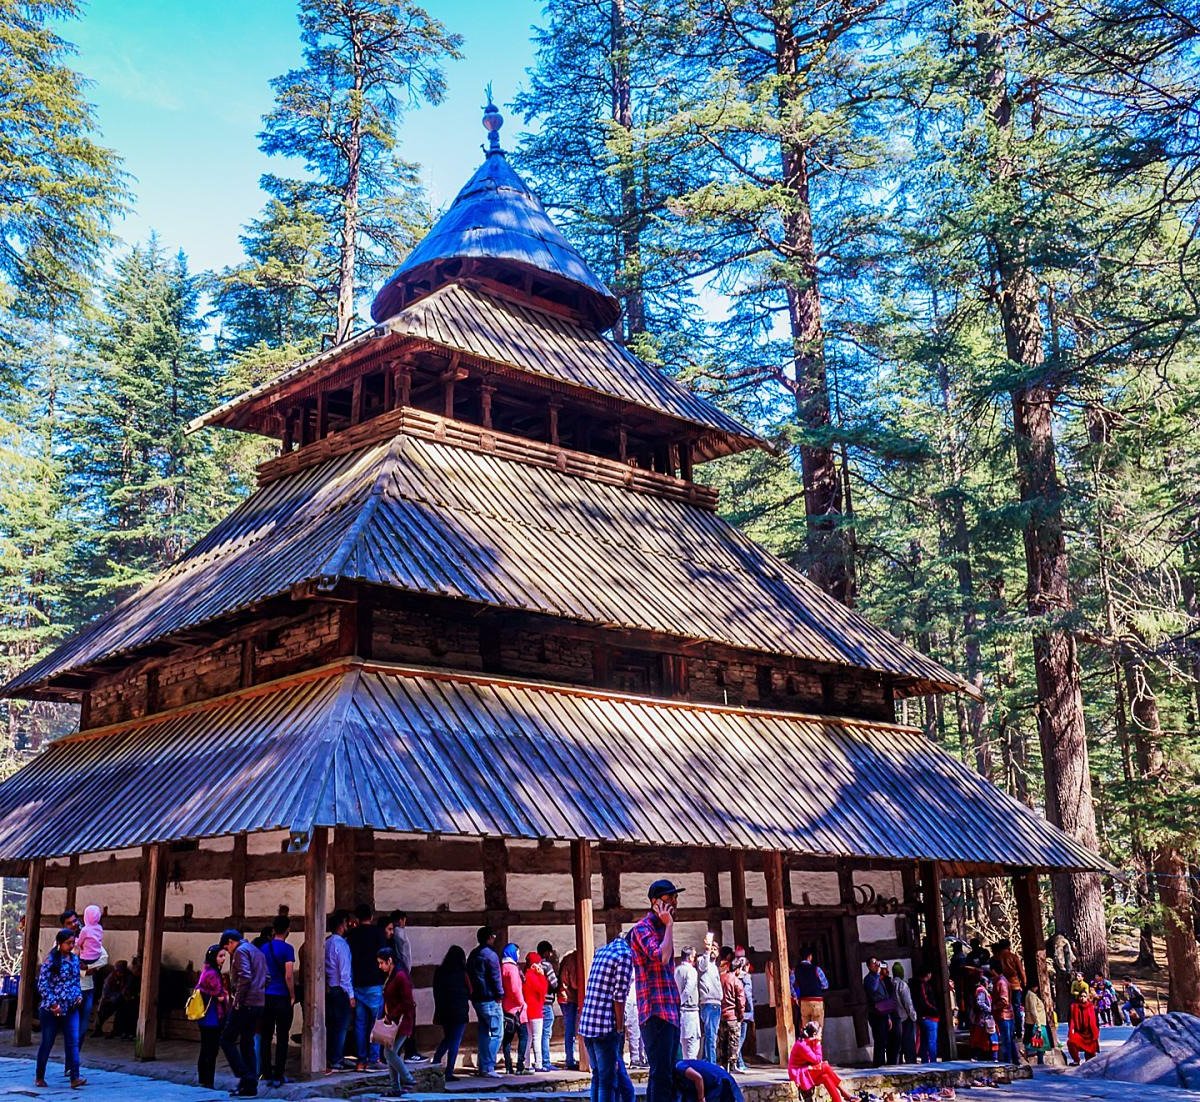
(481, 648)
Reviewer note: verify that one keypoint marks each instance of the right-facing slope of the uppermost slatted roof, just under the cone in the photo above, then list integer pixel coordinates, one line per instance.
(501, 331)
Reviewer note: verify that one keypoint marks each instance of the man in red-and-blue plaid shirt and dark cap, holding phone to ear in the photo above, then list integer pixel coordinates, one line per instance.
(658, 998)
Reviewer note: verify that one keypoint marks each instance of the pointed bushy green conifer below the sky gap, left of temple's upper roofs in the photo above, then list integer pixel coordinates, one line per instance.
(146, 489)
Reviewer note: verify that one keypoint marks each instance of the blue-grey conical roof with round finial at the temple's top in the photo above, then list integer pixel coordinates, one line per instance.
(497, 220)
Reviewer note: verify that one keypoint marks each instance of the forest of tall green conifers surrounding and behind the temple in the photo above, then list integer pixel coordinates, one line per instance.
(943, 254)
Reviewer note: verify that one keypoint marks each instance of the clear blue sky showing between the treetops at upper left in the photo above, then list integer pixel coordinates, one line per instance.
(181, 89)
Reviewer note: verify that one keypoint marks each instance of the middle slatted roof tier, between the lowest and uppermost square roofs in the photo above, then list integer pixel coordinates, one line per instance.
(418, 516)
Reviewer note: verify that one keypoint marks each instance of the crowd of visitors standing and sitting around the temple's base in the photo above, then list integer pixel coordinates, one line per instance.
(679, 1014)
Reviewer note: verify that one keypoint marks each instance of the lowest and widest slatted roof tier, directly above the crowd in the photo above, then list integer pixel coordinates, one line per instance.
(428, 752)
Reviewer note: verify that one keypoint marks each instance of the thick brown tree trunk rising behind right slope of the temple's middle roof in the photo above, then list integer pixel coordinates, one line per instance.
(831, 546)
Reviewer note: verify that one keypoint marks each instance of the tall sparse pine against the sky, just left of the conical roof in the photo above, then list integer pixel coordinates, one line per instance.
(364, 63)
